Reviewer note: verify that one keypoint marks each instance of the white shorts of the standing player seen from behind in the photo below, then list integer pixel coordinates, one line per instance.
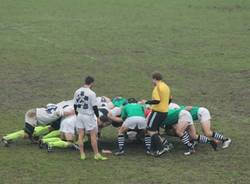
(86, 122)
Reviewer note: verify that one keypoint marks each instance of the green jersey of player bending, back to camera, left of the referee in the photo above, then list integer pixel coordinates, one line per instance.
(132, 109)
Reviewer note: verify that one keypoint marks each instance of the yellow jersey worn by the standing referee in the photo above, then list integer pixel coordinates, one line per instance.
(161, 92)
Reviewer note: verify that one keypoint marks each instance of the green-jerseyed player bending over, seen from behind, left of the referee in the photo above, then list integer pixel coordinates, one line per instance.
(132, 117)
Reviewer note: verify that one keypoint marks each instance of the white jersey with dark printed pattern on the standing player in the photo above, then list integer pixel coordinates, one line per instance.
(85, 99)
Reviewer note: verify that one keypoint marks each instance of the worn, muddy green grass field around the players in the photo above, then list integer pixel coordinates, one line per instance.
(200, 46)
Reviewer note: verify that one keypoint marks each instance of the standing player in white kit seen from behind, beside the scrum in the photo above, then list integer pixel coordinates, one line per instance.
(85, 105)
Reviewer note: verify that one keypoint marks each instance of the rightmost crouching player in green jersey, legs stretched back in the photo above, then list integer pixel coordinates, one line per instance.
(202, 115)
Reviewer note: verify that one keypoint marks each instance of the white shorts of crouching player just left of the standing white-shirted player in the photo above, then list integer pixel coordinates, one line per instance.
(68, 125)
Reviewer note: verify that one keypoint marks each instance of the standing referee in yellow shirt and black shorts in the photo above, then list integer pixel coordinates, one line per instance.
(159, 102)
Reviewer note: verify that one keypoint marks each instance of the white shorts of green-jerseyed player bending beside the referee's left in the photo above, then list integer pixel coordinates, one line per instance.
(136, 121)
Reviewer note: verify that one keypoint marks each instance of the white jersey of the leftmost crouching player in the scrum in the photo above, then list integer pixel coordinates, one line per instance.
(44, 118)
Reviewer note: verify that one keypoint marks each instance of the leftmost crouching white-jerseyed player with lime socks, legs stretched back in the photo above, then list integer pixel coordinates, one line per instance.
(39, 116)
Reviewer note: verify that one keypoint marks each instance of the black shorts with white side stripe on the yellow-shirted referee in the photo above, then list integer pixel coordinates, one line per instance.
(155, 120)
